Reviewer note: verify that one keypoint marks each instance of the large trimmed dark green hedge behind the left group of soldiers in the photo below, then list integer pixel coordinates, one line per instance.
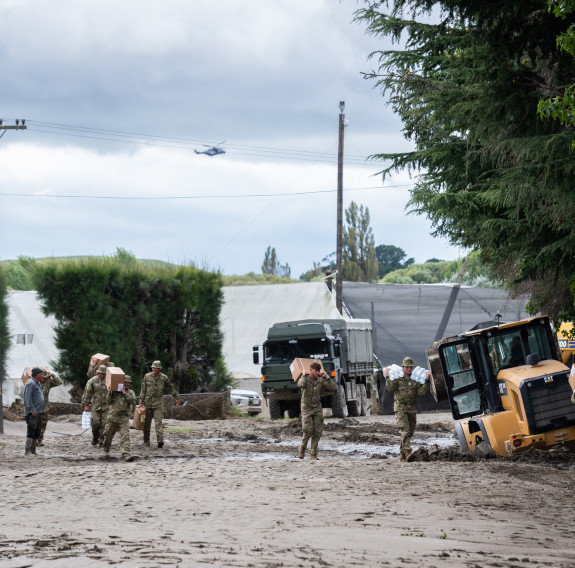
(136, 314)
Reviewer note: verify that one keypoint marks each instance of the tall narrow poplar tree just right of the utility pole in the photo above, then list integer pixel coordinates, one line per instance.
(359, 258)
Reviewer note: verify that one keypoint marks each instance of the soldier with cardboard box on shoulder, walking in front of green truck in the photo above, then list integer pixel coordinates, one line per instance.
(311, 411)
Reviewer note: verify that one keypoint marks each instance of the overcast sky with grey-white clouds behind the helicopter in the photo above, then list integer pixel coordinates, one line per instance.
(117, 95)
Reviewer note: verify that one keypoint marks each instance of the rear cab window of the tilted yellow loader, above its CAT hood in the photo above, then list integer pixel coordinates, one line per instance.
(510, 349)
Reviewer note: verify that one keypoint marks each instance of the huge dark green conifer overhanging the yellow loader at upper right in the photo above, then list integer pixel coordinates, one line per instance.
(491, 175)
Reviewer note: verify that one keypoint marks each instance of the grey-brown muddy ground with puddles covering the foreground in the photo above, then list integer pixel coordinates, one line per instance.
(232, 493)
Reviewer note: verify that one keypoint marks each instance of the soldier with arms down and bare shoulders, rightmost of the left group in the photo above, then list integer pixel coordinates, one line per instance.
(154, 386)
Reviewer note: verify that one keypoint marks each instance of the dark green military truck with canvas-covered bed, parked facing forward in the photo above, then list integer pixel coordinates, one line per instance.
(346, 352)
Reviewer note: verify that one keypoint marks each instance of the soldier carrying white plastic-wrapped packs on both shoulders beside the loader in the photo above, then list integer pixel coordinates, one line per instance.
(405, 391)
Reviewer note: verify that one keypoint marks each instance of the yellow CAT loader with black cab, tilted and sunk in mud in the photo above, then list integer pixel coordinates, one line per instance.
(507, 387)
